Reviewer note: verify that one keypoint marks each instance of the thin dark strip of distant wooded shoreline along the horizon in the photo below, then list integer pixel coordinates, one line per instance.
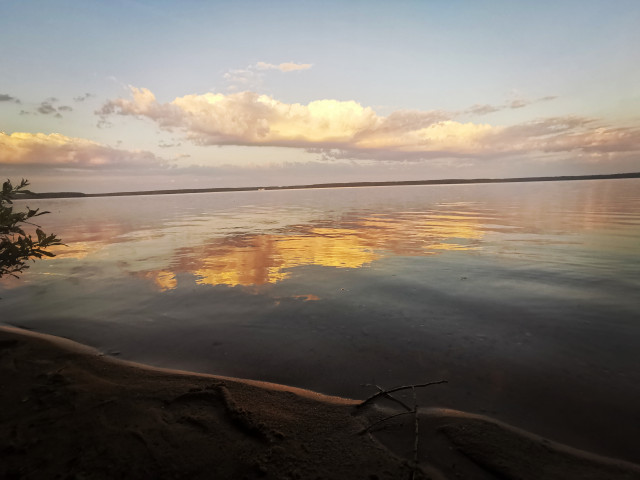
(454, 181)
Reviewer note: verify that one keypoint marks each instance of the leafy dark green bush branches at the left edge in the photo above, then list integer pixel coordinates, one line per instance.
(17, 247)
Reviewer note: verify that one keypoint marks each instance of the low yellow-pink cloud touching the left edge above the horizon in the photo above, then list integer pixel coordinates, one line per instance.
(56, 150)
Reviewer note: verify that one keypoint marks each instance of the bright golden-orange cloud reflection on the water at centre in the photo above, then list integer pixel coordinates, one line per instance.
(269, 258)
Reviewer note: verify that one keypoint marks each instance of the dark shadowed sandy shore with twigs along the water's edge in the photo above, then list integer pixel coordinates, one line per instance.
(68, 411)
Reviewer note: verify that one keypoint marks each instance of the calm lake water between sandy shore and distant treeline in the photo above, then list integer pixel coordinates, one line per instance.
(526, 297)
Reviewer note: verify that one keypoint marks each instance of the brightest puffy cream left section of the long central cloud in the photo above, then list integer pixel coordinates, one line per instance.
(248, 118)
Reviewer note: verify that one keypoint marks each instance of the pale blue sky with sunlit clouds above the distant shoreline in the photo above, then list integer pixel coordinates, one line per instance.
(106, 96)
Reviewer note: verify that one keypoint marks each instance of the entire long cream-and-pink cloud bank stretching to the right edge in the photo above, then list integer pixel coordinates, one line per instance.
(356, 131)
